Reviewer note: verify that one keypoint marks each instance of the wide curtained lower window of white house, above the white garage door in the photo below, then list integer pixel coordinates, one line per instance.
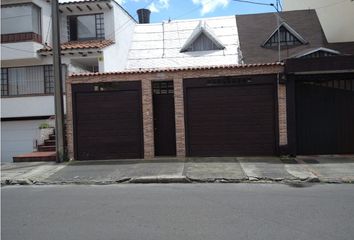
(28, 80)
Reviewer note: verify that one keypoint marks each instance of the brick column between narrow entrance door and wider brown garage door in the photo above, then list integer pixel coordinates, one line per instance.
(179, 113)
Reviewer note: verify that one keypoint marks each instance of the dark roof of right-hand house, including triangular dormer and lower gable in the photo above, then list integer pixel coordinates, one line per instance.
(301, 36)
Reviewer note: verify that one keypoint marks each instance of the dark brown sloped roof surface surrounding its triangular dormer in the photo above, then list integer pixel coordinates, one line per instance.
(254, 29)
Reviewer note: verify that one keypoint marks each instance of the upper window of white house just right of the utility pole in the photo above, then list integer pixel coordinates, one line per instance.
(86, 27)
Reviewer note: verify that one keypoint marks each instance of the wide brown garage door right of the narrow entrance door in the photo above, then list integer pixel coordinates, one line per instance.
(230, 117)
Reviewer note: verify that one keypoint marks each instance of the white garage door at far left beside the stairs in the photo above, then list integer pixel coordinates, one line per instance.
(17, 137)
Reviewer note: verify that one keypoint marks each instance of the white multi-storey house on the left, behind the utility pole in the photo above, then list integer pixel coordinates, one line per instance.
(95, 36)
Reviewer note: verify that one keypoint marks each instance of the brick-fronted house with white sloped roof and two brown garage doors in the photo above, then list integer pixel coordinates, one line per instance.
(181, 95)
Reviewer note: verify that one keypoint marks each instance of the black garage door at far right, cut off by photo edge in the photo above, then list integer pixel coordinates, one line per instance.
(325, 116)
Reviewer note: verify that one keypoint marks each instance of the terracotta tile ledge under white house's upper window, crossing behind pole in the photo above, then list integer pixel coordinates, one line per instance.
(89, 44)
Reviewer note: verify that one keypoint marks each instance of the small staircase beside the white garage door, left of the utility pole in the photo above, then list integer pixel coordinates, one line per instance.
(45, 152)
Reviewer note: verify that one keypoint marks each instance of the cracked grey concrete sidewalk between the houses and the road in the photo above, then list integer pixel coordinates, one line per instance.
(325, 169)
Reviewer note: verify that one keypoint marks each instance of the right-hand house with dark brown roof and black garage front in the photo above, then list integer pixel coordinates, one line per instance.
(318, 76)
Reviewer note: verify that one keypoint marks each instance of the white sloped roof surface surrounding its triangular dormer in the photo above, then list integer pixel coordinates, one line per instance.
(159, 45)
